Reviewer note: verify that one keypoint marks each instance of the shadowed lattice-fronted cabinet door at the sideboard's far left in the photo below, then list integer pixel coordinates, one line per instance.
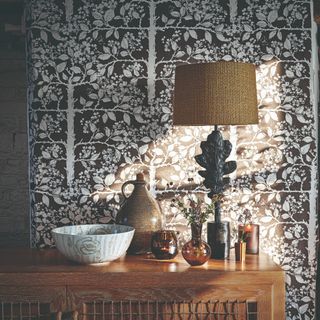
(31, 303)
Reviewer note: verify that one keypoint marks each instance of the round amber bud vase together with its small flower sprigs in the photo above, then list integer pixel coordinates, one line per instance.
(196, 251)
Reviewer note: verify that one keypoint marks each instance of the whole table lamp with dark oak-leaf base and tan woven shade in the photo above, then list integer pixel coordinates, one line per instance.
(218, 93)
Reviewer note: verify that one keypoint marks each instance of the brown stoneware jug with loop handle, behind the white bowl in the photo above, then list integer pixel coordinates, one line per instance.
(141, 211)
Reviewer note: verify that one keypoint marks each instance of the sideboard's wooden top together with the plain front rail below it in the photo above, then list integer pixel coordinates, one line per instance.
(33, 267)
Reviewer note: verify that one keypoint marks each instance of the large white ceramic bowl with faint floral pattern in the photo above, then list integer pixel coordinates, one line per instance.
(93, 243)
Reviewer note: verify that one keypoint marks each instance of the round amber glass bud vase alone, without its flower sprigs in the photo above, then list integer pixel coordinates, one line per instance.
(196, 252)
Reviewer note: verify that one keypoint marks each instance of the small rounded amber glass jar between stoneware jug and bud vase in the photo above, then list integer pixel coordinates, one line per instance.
(164, 244)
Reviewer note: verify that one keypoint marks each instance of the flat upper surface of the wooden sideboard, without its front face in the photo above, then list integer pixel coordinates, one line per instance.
(50, 260)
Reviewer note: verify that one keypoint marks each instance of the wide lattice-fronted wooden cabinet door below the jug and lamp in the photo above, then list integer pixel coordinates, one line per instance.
(170, 303)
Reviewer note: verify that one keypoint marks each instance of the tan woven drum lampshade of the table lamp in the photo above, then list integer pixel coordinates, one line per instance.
(219, 93)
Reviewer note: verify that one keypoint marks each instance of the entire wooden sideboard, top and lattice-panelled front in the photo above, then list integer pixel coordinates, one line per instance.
(42, 284)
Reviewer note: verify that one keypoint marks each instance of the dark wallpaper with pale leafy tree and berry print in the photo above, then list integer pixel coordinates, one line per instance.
(100, 84)
